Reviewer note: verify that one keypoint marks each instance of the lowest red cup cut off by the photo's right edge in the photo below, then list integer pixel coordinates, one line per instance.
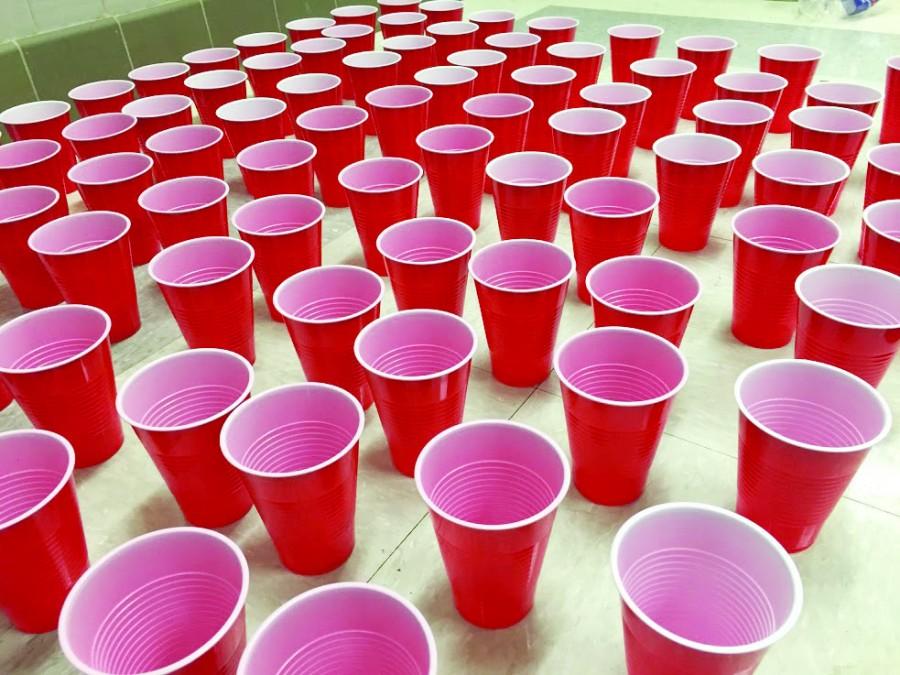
(849, 317)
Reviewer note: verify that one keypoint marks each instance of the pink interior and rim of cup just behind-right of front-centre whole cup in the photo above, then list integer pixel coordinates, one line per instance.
(621, 366)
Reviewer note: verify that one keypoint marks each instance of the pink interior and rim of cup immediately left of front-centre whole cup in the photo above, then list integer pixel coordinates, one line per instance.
(292, 429)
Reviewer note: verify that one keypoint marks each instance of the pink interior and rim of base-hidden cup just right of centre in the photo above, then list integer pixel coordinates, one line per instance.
(643, 285)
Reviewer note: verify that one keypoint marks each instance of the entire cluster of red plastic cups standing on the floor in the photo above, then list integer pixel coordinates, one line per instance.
(475, 108)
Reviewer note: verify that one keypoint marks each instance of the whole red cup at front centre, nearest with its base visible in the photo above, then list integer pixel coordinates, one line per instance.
(493, 488)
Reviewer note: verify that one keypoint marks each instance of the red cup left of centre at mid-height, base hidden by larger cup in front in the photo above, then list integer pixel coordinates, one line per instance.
(207, 285)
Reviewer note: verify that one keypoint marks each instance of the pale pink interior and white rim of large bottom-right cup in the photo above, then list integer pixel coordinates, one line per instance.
(706, 575)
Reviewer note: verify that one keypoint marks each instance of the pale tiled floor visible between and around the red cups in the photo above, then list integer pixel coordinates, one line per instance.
(849, 577)
